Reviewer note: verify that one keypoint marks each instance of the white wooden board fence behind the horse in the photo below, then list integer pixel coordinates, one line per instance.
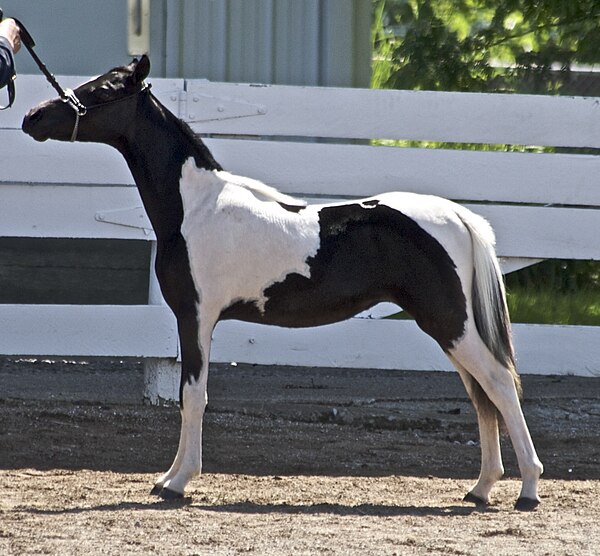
(542, 205)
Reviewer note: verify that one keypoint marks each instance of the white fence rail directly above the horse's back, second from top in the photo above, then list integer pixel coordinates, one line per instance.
(359, 170)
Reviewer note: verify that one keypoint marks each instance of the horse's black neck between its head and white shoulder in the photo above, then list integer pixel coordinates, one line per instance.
(155, 154)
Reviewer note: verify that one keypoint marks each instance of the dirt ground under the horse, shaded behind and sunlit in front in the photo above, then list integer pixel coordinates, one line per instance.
(297, 461)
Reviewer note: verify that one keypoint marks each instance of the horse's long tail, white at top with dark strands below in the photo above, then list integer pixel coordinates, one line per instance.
(488, 295)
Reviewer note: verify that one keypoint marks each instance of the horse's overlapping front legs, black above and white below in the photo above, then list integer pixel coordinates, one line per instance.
(195, 348)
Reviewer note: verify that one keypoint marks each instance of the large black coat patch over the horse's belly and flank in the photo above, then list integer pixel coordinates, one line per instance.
(367, 254)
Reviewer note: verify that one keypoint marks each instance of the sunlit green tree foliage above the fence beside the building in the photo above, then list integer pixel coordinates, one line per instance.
(483, 45)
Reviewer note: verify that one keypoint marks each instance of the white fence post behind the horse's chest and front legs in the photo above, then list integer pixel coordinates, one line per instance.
(161, 375)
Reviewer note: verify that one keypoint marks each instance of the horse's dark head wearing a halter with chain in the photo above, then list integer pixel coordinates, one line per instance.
(107, 105)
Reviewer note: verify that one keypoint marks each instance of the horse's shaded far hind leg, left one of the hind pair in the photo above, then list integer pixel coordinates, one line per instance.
(491, 457)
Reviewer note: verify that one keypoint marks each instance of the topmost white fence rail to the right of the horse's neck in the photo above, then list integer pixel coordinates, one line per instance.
(383, 114)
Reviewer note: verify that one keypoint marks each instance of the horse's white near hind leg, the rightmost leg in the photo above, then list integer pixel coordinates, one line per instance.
(498, 383)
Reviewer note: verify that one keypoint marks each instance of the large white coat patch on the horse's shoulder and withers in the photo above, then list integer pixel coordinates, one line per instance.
(239, 239)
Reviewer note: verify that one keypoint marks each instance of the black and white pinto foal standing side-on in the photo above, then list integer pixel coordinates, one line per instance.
(230, 247)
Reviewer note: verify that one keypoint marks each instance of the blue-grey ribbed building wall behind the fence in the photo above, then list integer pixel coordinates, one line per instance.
(300, 42)
